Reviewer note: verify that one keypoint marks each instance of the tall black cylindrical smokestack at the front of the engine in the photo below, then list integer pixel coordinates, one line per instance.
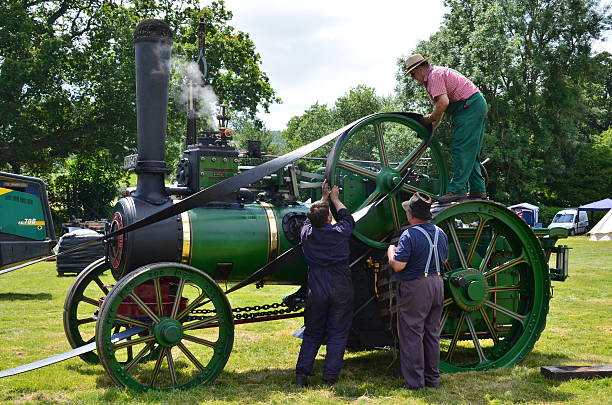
(153, 45)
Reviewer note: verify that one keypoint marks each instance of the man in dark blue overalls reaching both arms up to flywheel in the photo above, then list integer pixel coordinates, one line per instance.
(329, 306)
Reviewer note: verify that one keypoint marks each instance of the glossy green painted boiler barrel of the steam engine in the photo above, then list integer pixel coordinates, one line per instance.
(240, 237)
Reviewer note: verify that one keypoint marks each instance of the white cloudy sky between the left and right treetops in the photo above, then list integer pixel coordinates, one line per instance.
(314, 50)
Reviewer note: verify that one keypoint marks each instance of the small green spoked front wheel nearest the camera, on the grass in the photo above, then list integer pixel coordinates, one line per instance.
(189, 351)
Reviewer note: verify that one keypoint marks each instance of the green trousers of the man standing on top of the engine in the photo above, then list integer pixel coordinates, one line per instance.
(468, 118)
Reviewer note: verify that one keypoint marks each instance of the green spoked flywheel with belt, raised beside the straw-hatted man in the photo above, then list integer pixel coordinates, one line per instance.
(372, 157)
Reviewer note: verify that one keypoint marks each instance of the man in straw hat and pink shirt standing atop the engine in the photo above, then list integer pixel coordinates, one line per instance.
(451, 92)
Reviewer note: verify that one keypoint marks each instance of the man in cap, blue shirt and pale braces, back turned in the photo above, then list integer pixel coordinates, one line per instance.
(418, 263)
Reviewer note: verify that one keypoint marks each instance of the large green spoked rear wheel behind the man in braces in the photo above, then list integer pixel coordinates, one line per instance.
(495, 315)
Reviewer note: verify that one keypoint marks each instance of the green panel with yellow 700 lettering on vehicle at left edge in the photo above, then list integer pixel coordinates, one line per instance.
(22, 214)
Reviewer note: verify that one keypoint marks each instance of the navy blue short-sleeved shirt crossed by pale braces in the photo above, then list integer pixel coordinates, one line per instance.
(413, 248)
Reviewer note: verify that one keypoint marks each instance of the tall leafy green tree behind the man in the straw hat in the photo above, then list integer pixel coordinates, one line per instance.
(532, 61)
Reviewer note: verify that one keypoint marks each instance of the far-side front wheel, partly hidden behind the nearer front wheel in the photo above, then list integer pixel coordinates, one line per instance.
(81, 305)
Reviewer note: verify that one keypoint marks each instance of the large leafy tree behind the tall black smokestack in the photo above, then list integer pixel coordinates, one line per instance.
(67, 74)
